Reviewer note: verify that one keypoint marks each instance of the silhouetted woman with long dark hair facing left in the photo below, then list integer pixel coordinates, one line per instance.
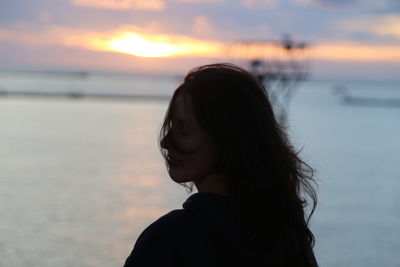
(220, 133)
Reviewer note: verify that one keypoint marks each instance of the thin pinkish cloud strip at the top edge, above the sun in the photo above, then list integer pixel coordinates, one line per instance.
(156, 5)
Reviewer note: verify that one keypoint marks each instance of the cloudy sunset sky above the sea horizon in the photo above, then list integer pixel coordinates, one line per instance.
(349, 39)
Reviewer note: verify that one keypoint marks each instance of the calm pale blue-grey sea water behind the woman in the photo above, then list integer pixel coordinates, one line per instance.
(80, 179)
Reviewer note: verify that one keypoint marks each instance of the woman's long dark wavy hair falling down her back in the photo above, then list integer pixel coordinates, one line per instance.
(263, 171)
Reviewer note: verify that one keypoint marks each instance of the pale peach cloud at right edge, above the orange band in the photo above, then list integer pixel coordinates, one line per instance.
(384, 25)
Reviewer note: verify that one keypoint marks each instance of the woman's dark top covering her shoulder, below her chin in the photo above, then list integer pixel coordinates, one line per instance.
(203, 233)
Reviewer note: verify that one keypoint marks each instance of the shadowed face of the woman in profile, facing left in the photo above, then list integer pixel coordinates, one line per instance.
(191, 153)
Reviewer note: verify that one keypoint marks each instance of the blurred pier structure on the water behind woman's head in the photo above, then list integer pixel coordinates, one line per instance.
(279, 64)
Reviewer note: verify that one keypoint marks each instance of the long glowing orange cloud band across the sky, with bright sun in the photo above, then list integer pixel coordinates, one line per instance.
(139, 42)
